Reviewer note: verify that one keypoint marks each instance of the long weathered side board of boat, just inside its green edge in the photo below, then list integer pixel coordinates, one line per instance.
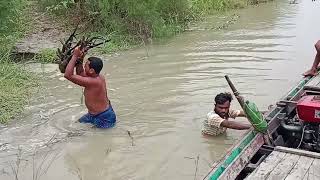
(242, 160)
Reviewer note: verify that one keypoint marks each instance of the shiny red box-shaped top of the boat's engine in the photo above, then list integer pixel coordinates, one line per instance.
(308, 109)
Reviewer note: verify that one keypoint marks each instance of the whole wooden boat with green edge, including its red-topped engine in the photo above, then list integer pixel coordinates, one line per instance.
(294, 133)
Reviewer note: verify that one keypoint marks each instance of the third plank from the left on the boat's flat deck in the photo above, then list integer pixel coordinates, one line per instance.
(300, 169)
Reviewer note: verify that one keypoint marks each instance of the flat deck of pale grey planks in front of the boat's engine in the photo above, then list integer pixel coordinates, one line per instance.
(288, 164)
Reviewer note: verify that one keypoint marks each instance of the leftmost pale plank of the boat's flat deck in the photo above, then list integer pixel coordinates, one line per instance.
(267, 166)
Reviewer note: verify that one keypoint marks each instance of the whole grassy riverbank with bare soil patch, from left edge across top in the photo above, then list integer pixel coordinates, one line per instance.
(128, 25)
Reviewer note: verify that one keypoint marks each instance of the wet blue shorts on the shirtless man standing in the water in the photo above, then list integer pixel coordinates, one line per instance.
(105, 119)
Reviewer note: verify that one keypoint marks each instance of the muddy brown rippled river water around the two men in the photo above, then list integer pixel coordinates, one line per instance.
(161, 94)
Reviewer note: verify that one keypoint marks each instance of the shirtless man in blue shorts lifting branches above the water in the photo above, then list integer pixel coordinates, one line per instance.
(100, 112)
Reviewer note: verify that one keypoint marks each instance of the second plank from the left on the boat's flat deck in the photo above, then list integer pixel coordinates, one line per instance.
(283, 168)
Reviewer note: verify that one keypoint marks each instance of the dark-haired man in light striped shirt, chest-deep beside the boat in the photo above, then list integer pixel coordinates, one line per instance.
(218, 121)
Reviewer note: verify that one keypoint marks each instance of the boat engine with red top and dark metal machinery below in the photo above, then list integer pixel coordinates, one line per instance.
(301, 129)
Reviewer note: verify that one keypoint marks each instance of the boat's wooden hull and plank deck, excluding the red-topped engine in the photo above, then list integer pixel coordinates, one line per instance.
(280, 162)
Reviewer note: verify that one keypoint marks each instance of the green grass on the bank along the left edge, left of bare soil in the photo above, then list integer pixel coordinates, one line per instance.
(15, 82)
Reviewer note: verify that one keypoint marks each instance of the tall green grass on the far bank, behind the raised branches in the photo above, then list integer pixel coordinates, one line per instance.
(129, 22)
